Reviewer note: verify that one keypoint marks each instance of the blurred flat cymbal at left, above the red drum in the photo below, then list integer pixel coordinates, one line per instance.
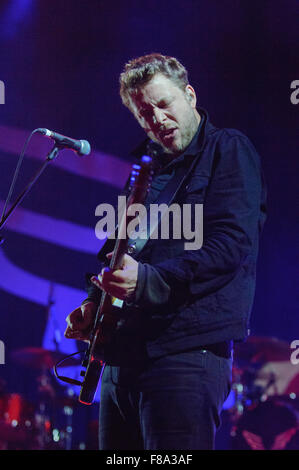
(40, 358)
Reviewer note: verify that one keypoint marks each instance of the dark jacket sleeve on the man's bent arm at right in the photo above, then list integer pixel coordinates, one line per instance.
(231, 221)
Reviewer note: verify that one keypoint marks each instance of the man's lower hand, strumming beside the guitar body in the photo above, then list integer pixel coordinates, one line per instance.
(80, 322)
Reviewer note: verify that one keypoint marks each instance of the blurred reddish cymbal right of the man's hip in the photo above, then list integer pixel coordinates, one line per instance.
(262, 349)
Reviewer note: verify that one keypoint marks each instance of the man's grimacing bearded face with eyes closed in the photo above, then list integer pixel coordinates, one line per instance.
(166, 113)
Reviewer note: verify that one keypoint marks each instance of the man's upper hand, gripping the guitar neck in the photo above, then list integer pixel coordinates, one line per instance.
(120, 283)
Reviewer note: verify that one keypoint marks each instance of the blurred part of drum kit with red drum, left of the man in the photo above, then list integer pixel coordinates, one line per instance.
(46, 424)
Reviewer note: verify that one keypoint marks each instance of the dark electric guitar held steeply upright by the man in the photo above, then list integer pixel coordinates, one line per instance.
(106, 317)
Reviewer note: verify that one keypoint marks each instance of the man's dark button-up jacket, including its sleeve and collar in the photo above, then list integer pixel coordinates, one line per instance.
(189, 298)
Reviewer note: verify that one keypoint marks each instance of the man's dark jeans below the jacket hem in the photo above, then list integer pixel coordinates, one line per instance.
(172, 403)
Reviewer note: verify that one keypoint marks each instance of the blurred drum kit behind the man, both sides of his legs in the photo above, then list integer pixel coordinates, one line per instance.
(263, 412)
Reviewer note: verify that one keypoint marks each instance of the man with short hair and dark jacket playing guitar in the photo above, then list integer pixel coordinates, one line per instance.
(168, 366)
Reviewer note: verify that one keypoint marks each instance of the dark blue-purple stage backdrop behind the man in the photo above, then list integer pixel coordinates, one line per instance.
(60, 62)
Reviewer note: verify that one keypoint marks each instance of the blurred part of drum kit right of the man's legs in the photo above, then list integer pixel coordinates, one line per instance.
(264, 414)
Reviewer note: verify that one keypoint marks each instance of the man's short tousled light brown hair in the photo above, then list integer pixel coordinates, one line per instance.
(138, 72)
